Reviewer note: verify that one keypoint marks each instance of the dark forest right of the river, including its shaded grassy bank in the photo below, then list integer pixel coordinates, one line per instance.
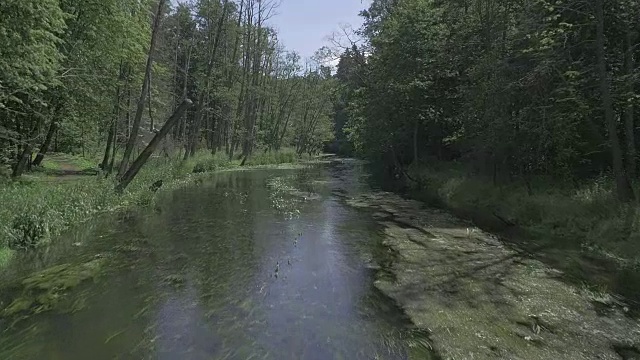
(514, 112)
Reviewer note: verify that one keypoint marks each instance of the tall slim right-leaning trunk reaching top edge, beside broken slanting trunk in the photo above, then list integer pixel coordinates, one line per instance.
(133, 136)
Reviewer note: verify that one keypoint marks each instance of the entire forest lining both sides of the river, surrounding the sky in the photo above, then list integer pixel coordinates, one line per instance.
(511, 113)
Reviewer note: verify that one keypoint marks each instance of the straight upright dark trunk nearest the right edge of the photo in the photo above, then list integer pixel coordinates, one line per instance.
(629, 65)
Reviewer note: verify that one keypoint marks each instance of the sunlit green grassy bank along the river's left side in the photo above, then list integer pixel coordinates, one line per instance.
(44, 203)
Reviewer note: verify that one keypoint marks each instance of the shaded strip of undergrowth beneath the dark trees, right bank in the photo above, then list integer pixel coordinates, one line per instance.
(586, 217)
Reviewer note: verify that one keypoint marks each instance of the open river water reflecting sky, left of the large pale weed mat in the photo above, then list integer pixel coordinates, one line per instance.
(261, 264)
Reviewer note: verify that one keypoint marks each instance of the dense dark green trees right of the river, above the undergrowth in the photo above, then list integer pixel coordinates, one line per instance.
(516, 90)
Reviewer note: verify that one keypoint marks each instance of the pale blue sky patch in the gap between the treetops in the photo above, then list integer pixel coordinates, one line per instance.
(304, 25)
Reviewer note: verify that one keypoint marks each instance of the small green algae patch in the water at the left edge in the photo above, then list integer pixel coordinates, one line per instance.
(44, 290)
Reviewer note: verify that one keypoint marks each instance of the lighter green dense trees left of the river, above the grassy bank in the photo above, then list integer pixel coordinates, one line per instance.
(91, 76)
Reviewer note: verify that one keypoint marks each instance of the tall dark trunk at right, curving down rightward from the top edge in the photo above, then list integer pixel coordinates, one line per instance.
(623, 188)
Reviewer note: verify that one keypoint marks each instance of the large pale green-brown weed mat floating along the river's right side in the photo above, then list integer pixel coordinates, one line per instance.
(483, 300)
